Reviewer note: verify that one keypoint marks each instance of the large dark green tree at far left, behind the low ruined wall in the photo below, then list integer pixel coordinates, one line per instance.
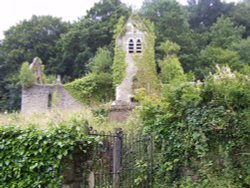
(24, 41)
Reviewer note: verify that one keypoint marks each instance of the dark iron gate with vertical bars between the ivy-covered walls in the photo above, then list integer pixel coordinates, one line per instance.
(122, 160)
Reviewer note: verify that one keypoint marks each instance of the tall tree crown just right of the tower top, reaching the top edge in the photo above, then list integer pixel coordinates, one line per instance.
(165, 14)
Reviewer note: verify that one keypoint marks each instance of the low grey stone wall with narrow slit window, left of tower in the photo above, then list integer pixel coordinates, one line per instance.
(45, 98)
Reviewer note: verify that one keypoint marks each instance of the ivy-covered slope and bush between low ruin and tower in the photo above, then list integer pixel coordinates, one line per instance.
(97, 86)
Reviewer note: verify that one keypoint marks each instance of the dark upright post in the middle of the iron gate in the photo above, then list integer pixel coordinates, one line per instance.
(117, 149)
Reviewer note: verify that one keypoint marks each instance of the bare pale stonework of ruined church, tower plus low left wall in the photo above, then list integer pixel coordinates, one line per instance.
(134, 44)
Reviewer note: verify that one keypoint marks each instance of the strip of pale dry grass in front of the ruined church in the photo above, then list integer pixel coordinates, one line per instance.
(99, 123)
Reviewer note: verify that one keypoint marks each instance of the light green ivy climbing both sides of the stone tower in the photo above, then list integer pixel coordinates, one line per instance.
(146, 76)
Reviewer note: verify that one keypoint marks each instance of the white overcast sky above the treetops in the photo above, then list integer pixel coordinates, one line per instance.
(14, 11)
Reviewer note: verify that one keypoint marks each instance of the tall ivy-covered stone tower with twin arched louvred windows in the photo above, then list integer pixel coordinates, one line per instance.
(134, 63)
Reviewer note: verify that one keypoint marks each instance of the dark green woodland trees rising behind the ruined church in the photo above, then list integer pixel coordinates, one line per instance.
(207, 31)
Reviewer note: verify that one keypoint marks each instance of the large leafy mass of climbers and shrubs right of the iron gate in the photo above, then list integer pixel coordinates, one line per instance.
(201, 131)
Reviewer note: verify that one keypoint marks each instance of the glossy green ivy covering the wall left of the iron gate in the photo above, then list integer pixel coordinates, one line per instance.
(31, 157)
